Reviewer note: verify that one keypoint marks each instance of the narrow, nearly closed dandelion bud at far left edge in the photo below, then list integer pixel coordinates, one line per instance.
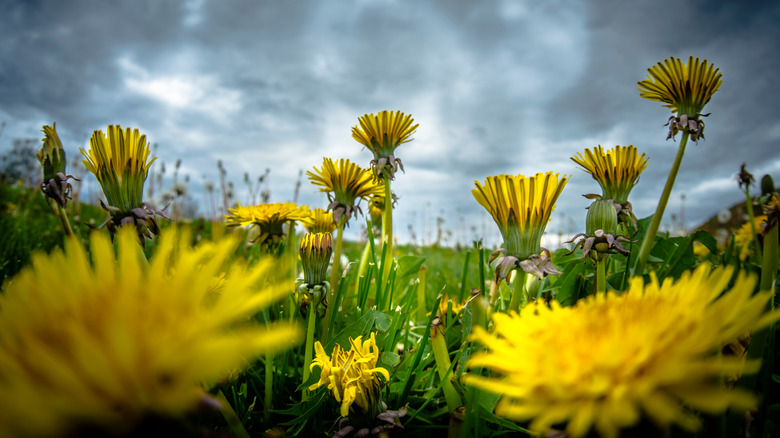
(55, 184)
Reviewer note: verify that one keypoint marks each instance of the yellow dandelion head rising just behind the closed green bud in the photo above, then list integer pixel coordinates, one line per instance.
(617, 171)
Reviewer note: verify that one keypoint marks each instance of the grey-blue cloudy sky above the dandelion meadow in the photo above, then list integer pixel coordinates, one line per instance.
(513, 86)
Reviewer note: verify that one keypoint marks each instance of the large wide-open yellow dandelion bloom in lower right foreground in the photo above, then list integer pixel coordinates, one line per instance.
(611, 358)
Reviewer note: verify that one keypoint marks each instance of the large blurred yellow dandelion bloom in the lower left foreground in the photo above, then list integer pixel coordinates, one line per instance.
(101, 347)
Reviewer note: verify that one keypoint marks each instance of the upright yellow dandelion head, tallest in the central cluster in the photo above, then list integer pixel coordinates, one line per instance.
(381, 134)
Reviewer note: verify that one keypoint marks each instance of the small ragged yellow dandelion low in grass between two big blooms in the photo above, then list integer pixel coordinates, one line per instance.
(351, 376)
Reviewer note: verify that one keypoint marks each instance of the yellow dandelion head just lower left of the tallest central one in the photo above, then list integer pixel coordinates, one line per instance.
(345, 183)
